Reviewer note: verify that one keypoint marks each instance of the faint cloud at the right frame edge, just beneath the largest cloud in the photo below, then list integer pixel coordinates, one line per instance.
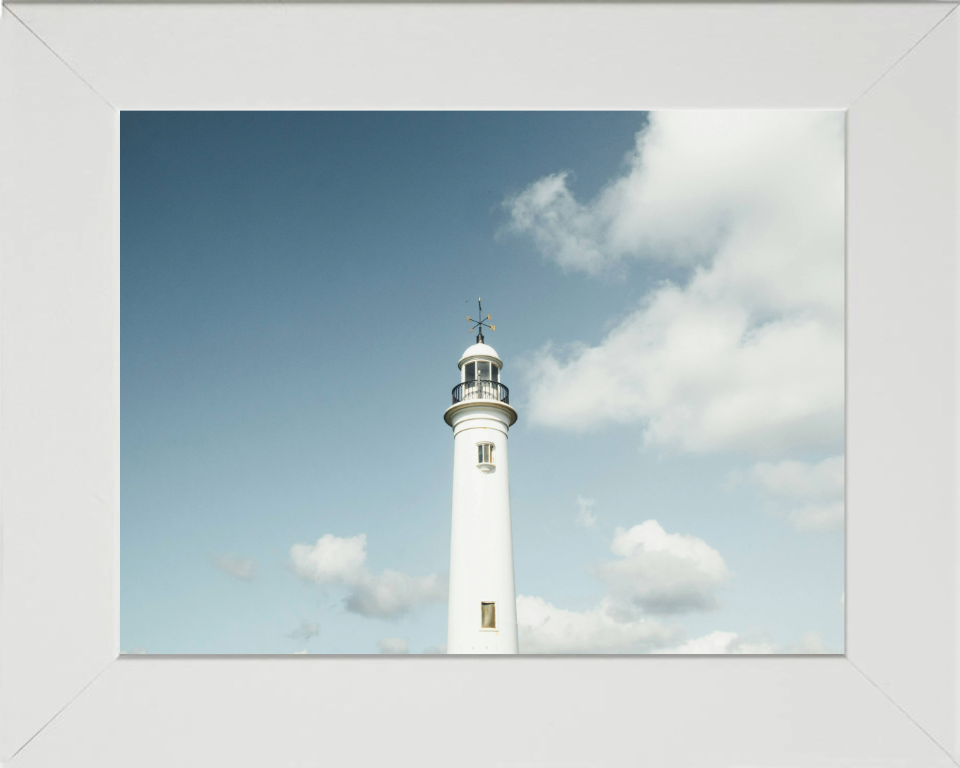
(810, 495)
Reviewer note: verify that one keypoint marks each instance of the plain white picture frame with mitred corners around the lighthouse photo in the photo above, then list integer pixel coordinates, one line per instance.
(66, 698)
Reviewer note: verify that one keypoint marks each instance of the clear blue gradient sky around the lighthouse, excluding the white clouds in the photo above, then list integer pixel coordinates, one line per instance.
(294, 292)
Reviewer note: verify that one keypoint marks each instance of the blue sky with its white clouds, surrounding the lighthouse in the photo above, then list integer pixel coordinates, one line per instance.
(667, 291)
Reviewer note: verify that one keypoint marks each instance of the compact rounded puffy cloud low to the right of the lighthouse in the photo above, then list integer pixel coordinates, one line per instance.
(661, 572)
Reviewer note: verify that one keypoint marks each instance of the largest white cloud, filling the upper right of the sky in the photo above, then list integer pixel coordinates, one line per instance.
(746, 352)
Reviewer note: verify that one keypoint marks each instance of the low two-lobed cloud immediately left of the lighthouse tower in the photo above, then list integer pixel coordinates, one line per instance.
(342, 560)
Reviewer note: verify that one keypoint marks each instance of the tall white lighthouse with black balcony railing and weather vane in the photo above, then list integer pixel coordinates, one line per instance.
(482, 616)
